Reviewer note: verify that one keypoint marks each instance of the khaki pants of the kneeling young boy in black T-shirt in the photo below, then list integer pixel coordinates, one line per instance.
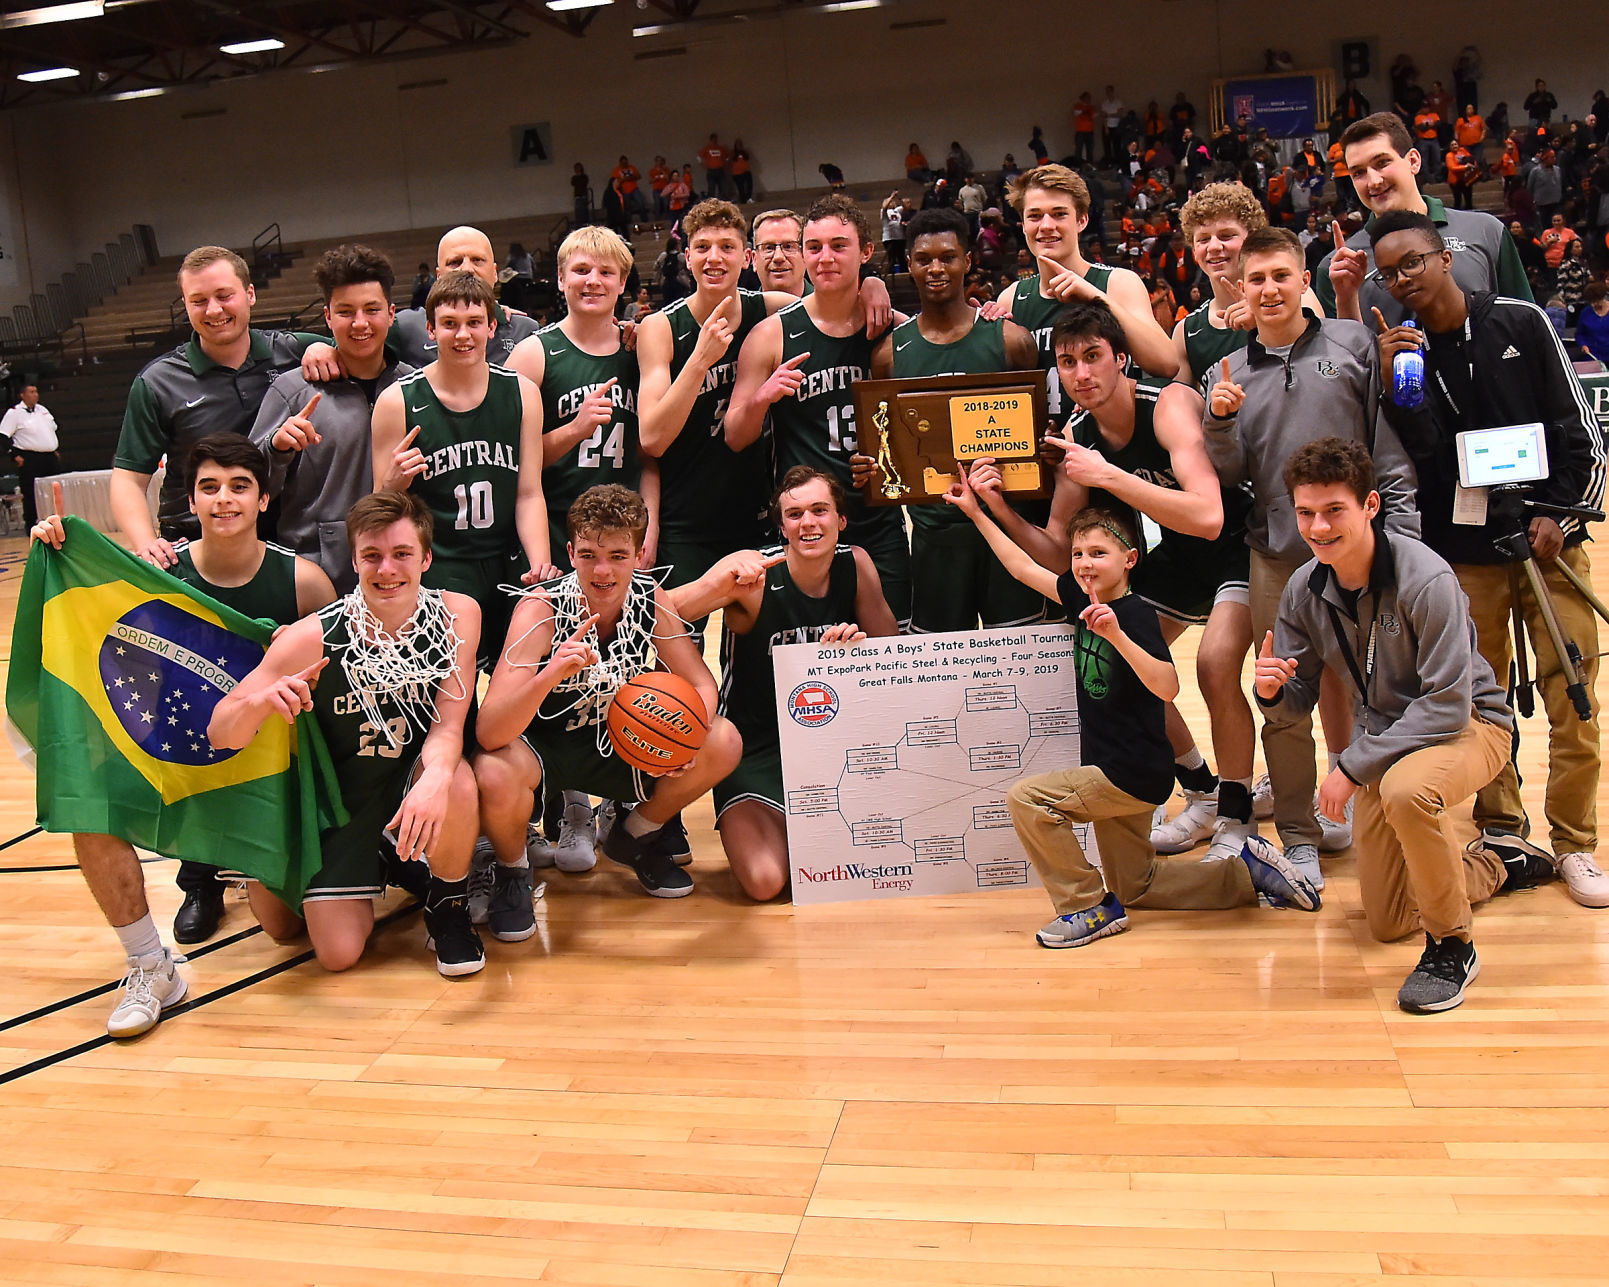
(1043, 808)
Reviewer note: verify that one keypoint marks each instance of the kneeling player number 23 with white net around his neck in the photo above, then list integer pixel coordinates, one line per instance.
(395, 731)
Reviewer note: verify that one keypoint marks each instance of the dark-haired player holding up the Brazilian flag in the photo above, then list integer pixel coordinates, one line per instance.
(258, 580)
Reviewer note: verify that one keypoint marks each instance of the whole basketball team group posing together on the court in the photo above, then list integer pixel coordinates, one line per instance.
(500, 546)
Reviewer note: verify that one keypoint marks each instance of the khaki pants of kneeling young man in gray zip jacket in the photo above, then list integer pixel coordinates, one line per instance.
(1412, 873)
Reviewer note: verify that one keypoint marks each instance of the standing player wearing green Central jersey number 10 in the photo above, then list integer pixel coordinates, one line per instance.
(466, 437)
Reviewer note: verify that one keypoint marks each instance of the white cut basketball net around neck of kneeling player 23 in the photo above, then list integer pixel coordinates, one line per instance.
(408, 665)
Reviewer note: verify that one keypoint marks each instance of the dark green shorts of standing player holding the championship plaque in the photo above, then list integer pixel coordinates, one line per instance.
(958, 582)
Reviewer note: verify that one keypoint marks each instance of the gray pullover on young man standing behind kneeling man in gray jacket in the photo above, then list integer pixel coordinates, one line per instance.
(1330, 385)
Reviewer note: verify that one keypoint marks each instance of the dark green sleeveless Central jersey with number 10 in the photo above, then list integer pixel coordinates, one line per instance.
(472, 466)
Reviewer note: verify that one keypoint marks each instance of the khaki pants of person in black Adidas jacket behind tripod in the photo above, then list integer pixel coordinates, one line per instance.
(1571, 802)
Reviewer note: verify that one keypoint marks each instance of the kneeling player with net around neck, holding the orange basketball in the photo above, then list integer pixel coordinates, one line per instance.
(570, 649)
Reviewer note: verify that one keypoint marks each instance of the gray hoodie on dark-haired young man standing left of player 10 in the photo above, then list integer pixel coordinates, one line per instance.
(319, 485)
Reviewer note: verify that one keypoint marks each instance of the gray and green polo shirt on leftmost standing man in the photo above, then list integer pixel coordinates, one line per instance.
(184, 397)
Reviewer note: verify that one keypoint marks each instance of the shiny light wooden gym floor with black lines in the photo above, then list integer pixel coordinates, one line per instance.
(707, 1095)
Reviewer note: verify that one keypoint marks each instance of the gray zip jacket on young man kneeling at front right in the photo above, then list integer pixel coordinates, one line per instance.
(1426, 675)
